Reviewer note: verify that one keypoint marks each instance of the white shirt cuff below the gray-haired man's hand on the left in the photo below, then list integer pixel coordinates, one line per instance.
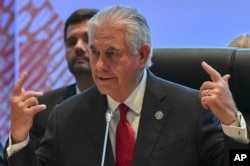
(11, 149)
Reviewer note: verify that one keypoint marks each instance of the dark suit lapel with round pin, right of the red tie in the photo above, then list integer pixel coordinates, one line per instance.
(153, 117)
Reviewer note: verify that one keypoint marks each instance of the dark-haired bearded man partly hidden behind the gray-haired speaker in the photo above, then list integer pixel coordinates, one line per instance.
(76, 42)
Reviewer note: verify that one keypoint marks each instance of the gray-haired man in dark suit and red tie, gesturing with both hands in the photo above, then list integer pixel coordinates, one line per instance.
(165, 122)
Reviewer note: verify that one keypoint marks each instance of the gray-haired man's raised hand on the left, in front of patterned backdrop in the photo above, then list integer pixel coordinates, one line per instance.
(24, 105)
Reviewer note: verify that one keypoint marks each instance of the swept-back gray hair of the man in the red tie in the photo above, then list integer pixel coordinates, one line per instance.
(137, 31)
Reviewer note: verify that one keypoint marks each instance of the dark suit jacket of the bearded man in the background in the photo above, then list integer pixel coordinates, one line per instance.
(50, 98)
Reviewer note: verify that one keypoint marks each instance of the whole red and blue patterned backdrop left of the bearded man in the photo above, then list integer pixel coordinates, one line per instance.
(32, 41)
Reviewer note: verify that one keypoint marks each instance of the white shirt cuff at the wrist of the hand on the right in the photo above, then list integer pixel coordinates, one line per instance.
(239, 134)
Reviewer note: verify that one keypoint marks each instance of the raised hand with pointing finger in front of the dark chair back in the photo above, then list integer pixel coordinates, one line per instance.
(216, 95)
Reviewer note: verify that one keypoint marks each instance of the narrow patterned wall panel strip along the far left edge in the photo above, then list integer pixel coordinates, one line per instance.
(7, 64)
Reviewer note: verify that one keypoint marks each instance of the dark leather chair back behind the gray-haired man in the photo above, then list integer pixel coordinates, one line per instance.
(183, 65)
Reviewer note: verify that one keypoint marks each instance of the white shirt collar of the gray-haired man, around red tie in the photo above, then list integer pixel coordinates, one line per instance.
(135, 99)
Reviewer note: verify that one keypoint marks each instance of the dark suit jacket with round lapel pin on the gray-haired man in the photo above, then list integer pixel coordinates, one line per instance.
(187, 135)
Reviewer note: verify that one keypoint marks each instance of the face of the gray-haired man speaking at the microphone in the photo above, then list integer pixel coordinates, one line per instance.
(115, 69)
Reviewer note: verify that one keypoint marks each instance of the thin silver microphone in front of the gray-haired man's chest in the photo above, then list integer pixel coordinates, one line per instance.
(108, 117)
